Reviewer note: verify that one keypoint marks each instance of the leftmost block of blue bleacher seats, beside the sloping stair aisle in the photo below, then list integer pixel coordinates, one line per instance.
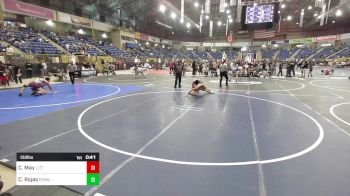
(29, 41)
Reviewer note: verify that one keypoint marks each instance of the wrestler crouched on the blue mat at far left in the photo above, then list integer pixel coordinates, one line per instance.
(37, 87)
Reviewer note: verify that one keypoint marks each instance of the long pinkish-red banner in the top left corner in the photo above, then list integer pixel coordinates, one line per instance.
(19, 7)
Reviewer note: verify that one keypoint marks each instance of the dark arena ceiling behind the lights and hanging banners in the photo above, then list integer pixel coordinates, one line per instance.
(144, 15)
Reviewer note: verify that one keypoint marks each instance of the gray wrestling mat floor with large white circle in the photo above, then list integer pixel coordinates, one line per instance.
(191, 138)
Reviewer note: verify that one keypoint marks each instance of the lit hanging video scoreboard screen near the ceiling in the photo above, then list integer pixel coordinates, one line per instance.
(260, 14)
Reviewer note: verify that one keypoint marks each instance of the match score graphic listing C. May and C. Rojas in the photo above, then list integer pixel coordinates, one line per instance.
(58, 169)
